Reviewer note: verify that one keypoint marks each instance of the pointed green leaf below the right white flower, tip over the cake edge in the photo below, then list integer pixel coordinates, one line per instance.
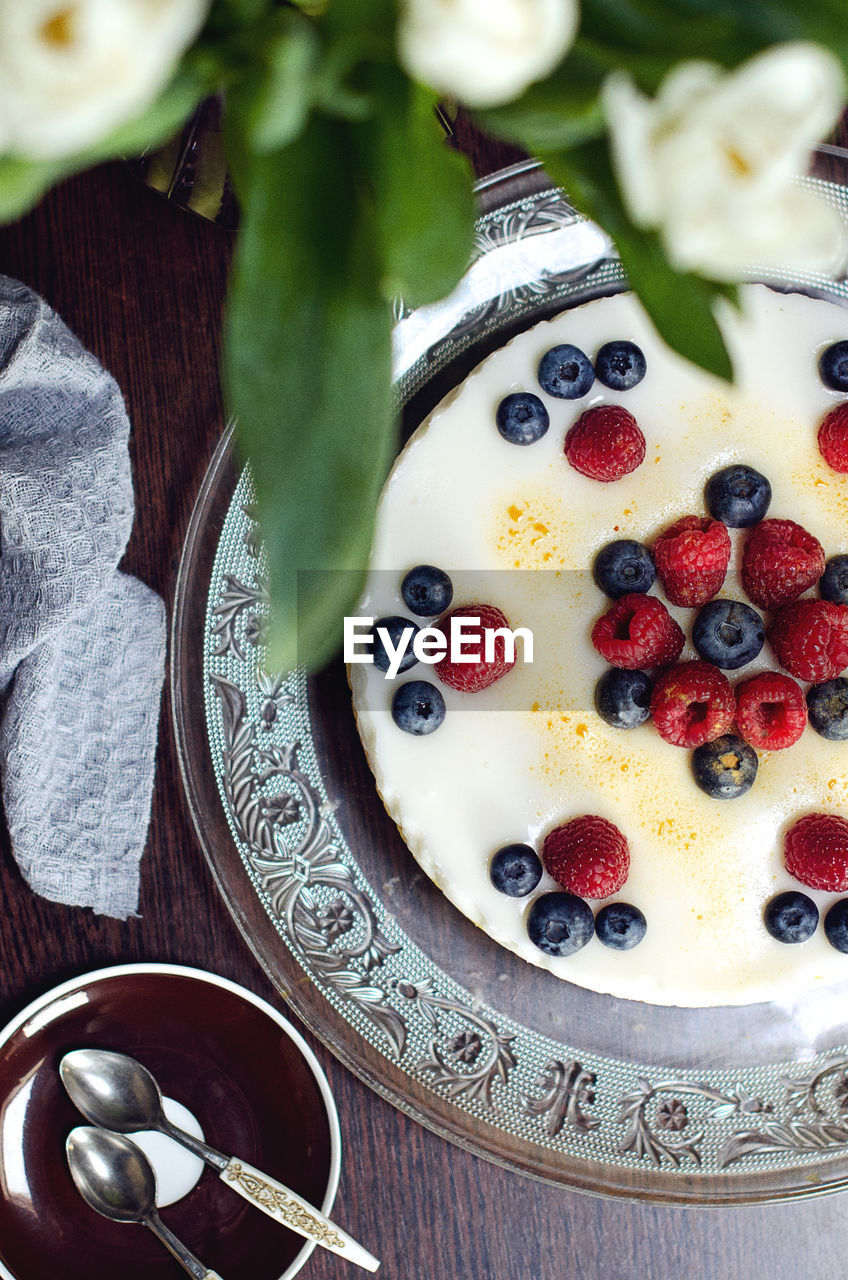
(680, 304)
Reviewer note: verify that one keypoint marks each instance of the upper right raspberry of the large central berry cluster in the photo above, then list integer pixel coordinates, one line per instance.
(779, 563)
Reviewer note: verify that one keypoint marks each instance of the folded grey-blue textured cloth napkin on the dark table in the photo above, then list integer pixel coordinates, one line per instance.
(83, 647)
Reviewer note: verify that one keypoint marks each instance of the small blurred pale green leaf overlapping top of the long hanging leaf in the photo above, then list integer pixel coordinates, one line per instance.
(281, 100)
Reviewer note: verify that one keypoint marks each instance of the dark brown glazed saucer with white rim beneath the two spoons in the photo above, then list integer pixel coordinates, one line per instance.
(245, 1073)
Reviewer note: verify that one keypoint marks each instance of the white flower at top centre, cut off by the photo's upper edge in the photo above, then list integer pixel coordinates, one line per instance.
(485, 52)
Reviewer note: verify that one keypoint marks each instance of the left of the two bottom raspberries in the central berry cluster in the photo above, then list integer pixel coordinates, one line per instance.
(692, 703)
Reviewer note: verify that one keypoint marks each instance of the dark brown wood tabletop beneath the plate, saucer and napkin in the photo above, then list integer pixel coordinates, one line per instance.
(143, 285)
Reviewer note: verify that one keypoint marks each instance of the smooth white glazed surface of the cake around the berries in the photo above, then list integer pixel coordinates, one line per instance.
(530, 753)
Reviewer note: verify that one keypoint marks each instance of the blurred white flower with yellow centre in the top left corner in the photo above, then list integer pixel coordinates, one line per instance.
(72, 71)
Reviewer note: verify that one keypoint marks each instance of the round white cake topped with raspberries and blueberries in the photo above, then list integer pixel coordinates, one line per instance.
(683, 712)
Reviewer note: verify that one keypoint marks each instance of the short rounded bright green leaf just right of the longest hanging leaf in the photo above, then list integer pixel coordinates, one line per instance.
(423, 200)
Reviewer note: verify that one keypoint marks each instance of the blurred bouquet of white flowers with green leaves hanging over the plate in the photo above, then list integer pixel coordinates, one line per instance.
(680, 126)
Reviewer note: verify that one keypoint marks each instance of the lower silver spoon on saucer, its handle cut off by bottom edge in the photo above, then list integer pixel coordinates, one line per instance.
(116, 1180)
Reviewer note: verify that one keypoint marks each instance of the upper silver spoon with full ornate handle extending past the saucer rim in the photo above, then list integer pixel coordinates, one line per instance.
(117, 1092)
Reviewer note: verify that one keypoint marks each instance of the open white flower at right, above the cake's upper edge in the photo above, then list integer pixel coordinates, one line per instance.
(712, 161)
